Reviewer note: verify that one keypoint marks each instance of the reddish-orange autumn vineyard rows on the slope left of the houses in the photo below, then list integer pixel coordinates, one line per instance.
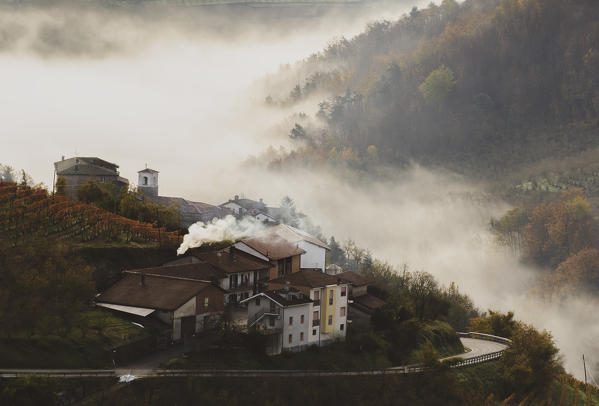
(28, 213)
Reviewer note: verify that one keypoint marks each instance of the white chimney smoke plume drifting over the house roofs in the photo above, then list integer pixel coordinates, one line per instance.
(228, 228)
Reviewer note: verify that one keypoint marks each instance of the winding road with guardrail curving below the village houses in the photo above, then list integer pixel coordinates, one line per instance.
(482, 350)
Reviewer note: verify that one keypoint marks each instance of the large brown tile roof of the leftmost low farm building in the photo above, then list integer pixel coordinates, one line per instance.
(157, 292)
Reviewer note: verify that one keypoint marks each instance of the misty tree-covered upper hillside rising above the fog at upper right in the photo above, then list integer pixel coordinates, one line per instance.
(482, 87)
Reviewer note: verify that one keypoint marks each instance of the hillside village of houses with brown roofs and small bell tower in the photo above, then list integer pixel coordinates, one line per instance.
(276, 283)
